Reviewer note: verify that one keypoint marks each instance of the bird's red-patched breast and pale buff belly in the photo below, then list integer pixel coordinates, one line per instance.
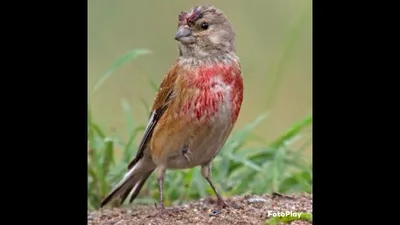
(206, 114)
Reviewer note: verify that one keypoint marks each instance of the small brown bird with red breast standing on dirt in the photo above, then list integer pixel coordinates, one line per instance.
(196, 106)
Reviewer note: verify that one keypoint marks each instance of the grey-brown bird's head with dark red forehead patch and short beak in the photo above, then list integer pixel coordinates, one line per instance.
(204, 31)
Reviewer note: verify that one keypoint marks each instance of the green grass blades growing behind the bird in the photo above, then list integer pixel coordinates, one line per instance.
(270, 167)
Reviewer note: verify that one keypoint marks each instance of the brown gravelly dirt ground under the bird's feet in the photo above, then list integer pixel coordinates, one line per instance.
(249, 209)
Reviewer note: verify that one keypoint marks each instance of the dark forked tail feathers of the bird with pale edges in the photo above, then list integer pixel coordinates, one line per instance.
(132, 182)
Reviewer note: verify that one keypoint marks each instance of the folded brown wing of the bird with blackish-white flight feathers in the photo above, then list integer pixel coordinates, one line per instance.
(164, 95)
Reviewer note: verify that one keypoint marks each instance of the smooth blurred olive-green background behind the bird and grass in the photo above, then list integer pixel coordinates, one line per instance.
(274, 43)
